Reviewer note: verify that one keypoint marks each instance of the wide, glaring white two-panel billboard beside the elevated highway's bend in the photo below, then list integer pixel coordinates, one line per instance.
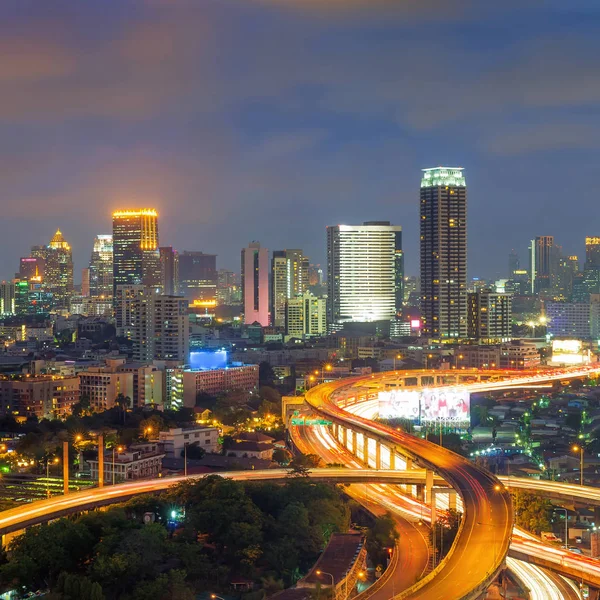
(435, 404)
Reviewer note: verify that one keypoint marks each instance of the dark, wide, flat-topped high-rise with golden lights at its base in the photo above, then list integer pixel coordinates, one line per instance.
(198, 276)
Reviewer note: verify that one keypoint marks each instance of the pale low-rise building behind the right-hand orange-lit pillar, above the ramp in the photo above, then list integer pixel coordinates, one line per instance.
(139, 461)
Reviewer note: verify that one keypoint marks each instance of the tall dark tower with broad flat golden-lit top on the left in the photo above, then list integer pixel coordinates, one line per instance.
(136, 258)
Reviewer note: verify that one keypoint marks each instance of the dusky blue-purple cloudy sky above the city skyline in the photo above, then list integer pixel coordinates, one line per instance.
(268, 120)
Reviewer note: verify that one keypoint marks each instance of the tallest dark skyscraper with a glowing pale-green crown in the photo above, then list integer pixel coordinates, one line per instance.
(444, 253)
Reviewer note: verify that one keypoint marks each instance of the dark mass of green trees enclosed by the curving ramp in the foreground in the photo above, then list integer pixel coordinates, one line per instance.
(261, 531)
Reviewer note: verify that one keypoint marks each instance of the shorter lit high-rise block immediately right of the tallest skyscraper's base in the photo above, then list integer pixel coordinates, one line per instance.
(489, 316)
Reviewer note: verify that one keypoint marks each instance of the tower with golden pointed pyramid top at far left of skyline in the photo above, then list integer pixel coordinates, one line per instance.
(58, 270)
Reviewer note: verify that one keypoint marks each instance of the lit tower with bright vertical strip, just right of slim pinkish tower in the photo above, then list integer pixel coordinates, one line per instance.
(289, 278)
